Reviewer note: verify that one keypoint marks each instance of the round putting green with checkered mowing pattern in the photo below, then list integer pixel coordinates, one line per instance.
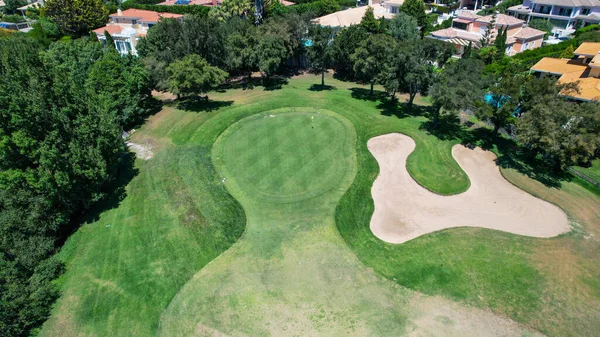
(284, 157)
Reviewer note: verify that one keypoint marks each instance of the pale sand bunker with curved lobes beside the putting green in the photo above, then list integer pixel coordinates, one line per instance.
(404, 210)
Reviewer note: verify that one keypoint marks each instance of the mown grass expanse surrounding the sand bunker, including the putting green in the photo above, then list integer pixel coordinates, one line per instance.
(144, 267)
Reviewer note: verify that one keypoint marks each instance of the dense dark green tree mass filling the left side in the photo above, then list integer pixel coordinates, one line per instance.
(63, 109)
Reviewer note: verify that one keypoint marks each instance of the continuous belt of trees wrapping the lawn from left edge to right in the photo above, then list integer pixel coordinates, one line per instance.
(60, 137)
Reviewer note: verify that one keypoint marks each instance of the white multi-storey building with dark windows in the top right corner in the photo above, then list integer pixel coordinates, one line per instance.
(565, 15)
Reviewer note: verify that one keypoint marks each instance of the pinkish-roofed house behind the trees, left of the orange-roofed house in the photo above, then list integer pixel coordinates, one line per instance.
(468, 27)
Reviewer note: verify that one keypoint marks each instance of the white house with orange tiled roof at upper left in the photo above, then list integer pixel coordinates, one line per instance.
(126, 27)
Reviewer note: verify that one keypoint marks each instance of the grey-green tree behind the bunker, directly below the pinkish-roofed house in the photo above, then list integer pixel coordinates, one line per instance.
(458, 86)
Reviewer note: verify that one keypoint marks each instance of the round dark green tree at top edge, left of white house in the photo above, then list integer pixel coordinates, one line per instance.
(76, 17)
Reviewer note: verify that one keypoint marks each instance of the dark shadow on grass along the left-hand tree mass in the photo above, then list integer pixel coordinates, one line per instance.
(114, 193)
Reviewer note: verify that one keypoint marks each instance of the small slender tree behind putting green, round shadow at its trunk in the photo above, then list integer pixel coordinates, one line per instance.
(319, 53)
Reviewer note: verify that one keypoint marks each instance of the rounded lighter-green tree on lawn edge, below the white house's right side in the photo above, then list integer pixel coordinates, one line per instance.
(193, 76)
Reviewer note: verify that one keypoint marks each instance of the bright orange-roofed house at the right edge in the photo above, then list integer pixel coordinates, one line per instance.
(583, 68)
